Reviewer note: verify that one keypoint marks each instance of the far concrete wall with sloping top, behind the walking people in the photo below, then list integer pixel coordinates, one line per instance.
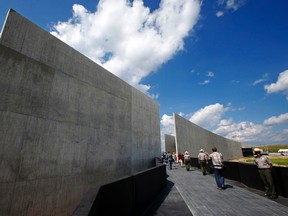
(192, 138)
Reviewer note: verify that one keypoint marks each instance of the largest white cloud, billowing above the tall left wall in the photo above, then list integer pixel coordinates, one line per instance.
(126, 38)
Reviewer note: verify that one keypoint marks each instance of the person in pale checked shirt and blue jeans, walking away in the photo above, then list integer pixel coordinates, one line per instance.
(217, 160)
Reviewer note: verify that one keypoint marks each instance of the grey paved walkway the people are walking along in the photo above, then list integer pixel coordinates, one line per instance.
(191, 193)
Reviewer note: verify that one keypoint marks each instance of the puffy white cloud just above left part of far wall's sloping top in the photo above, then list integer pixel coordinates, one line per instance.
(209, 116)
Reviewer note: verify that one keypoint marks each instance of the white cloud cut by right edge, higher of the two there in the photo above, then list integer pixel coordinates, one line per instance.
(280, 86)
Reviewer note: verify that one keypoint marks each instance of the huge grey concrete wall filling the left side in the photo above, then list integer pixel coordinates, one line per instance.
(67, 124)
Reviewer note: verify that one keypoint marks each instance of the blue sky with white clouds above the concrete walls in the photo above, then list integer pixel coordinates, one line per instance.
(220, 64)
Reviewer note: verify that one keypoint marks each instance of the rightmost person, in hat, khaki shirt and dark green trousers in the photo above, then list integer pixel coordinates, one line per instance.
(264, 168)
